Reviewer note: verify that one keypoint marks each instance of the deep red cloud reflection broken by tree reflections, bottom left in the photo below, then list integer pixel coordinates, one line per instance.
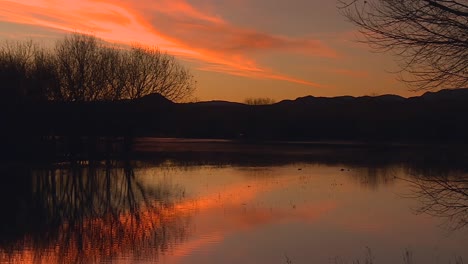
(131, 235)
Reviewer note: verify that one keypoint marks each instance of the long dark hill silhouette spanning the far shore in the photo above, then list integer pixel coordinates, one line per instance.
(433, 117)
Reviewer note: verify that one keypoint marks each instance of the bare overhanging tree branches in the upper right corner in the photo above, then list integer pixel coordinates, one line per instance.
(430, 37)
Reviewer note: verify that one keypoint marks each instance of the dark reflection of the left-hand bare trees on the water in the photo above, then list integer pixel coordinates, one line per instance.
(95, 212)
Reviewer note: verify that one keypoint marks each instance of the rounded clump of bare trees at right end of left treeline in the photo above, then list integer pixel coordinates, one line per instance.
(92, 70)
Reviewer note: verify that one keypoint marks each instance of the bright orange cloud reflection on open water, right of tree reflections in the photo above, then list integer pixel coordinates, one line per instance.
(215, 227)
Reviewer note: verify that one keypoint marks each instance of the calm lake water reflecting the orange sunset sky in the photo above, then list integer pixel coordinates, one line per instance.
(213, 202)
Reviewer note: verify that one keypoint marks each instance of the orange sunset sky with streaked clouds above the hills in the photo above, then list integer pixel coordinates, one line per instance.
(236, 49)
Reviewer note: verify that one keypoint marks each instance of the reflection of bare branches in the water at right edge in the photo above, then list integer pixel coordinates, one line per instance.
(443, 195)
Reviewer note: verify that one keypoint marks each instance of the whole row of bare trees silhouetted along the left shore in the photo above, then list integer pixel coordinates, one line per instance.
(83, 68)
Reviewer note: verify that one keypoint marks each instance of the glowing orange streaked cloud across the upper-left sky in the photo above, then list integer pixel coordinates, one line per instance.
(173, 25)
